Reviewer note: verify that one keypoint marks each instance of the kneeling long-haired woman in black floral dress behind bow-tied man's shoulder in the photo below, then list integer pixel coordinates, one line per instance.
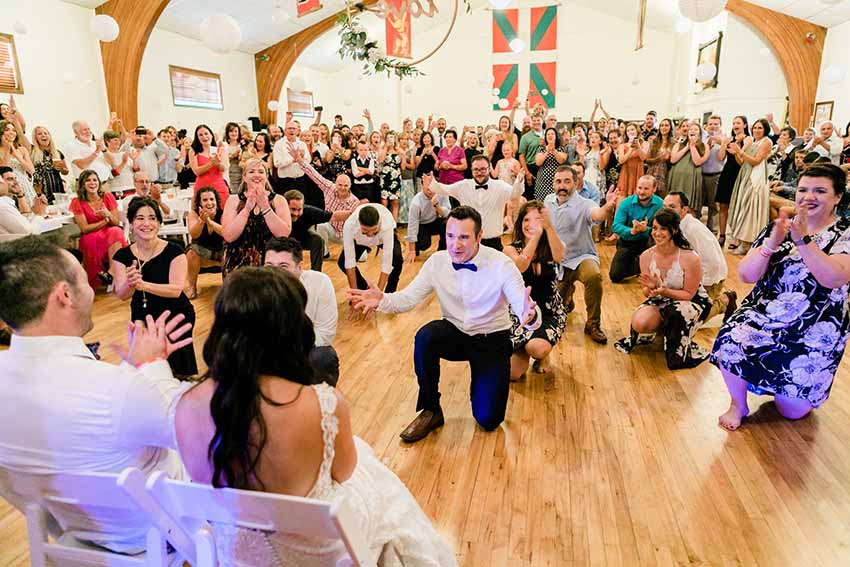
(537, 250)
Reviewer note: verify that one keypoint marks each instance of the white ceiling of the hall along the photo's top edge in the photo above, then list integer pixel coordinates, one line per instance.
(265, 22)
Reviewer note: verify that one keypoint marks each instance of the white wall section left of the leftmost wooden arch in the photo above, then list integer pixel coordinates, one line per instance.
(60, 64)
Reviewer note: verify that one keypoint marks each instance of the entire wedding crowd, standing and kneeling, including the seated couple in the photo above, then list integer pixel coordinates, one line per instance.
(669, 195)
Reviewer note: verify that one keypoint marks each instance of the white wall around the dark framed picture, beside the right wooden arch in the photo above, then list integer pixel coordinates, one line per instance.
(750, 80)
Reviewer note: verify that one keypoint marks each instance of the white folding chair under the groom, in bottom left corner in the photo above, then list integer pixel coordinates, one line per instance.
(76, 508)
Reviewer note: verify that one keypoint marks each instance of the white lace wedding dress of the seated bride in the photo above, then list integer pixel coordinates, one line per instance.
(392, 522)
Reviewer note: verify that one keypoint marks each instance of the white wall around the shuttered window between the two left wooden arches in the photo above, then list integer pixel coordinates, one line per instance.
(156, 107)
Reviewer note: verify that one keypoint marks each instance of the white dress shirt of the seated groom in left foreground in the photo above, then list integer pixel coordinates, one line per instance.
(64, 411)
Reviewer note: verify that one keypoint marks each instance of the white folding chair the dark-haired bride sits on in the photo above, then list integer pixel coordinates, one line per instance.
(188, 504)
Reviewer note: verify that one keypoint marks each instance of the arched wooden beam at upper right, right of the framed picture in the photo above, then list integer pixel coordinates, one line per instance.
(800, 58)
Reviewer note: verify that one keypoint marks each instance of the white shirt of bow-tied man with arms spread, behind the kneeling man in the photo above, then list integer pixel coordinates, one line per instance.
(490, 202)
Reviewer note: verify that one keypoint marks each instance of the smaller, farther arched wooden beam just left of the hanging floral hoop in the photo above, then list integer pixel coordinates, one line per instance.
(273, 64)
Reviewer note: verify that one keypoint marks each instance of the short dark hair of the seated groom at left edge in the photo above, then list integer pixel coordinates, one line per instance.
(30, 267)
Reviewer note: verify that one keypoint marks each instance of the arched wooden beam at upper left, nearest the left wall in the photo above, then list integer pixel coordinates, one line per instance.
(122, 58)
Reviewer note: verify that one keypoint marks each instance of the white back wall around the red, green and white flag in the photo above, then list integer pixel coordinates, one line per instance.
(456, 82)
